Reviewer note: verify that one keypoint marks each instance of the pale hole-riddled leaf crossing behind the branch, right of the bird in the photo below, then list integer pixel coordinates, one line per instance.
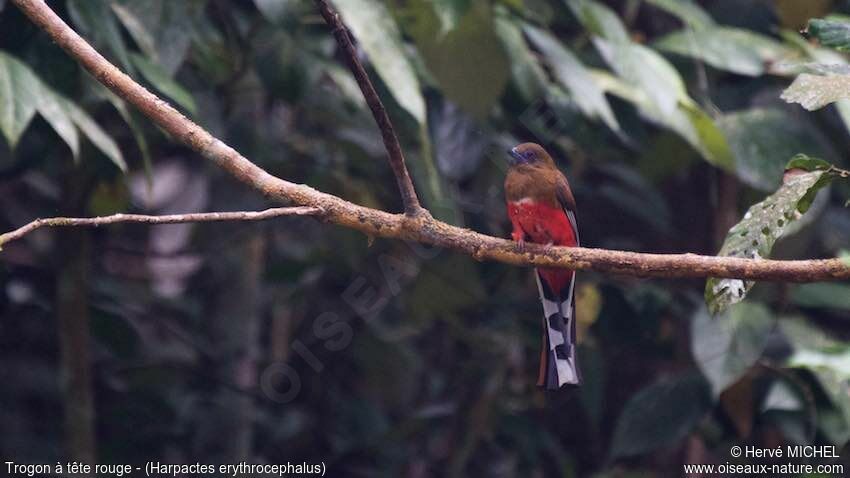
(762, 225)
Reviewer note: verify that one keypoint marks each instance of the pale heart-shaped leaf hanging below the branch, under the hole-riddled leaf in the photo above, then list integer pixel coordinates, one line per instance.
(726, 347)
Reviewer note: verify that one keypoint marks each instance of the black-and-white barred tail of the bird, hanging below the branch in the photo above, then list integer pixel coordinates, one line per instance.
(558, 364)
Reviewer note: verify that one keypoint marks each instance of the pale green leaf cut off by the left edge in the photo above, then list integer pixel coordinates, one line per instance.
(19, 97)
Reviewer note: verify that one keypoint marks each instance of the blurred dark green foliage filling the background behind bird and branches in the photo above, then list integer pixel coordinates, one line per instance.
(297, 341)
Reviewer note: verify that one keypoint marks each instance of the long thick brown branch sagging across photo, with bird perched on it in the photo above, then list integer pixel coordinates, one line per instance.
(419, 228)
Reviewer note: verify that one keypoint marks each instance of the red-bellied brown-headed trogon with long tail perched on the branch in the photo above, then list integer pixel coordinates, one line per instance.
(542, 210)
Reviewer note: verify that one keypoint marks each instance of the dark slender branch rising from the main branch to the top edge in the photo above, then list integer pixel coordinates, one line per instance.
(395, 155)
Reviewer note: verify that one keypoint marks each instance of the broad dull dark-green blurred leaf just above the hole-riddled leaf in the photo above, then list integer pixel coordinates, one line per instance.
(762, 138)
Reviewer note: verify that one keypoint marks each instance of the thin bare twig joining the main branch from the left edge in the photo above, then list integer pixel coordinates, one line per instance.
(167, 219)
